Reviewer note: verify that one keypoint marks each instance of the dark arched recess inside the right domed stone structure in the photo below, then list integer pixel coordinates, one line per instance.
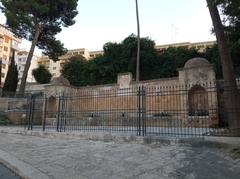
(198, 101)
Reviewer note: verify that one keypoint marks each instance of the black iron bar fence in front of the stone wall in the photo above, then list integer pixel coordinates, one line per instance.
(178, 111)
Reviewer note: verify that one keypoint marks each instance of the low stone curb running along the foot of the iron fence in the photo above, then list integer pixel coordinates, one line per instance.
(208, 141)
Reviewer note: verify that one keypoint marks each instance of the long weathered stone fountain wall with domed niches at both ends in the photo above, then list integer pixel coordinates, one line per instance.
(190, 99)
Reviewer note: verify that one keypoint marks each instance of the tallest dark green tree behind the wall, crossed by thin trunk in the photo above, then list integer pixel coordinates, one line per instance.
(122, 57)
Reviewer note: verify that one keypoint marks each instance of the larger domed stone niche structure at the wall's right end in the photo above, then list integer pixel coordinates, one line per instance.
(199, 99)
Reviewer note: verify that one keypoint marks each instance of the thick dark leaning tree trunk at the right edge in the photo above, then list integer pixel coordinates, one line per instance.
(231, 93)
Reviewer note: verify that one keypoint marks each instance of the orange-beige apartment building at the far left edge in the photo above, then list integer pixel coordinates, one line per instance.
(8, 43)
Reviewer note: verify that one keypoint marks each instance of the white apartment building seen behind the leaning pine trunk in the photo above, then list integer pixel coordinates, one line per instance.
(21, 58)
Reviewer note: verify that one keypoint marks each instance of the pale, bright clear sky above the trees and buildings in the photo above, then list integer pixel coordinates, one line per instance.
(164, 21)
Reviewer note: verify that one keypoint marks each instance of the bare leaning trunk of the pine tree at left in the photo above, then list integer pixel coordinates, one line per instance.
(28, 62)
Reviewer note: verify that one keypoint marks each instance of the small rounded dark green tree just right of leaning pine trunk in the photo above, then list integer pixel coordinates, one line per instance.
(42, 75)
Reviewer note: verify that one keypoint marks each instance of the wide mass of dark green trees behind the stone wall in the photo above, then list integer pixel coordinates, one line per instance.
(121, 58)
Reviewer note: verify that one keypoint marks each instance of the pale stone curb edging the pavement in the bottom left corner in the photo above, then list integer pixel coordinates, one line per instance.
(22, 169)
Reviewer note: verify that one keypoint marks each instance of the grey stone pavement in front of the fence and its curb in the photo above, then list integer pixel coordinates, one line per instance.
(79, 159)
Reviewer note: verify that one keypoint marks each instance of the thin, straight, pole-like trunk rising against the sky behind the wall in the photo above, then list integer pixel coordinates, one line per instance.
(138, 46)
